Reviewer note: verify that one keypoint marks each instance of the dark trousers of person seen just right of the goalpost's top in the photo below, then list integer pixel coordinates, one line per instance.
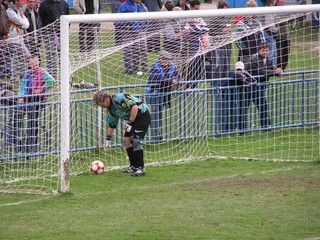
(86, 36)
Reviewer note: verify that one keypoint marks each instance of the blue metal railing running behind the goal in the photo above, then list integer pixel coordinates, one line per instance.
(193, 113)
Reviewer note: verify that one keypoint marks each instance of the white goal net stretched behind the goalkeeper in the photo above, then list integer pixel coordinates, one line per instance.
(183, 65)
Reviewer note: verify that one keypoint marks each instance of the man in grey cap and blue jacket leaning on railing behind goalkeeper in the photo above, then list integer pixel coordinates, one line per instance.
(164, 73)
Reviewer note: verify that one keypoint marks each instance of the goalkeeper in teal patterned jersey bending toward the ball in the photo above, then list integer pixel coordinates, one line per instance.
(132, 109)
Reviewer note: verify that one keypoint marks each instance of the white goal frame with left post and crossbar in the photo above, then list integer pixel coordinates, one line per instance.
(65, 20)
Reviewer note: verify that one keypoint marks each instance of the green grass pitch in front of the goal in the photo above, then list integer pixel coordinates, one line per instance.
(213, 199)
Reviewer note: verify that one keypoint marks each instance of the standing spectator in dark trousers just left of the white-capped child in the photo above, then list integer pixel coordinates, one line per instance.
(219, 59)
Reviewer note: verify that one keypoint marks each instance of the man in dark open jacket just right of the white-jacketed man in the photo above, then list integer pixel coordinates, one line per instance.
(33, 40)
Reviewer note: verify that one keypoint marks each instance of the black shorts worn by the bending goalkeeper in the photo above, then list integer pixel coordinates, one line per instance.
(140, 125)
